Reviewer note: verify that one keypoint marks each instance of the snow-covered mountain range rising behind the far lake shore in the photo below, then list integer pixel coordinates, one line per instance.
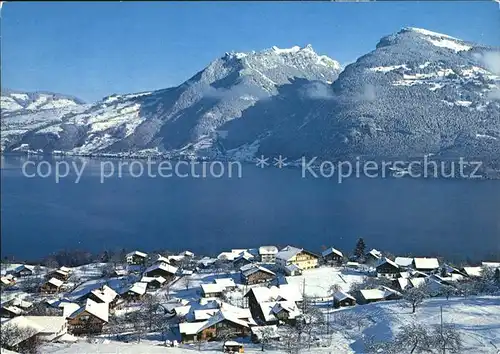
(418, 92)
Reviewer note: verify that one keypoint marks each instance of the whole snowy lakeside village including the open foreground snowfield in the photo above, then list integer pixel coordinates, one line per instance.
(284, 300)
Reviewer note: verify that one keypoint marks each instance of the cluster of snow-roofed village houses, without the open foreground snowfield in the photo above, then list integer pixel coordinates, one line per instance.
(289, 298)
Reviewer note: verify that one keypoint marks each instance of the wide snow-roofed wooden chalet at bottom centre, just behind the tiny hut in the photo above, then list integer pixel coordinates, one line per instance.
(221, 325)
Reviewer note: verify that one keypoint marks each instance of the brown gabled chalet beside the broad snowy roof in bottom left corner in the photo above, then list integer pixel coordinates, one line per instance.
(88, 319)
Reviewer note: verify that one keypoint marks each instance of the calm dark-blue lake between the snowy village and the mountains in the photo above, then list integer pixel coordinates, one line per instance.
(454, 218)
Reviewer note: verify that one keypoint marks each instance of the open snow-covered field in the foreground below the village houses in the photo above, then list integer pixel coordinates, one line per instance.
(477, 318)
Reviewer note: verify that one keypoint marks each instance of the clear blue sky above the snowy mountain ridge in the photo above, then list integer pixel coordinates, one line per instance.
(91, 50)
